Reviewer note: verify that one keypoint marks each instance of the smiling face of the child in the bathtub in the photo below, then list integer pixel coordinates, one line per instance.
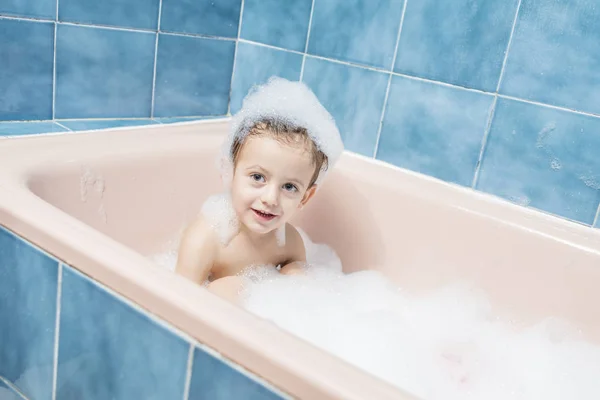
(270, 183)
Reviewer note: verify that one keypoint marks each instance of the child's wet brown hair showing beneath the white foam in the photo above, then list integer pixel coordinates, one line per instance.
(286, 133)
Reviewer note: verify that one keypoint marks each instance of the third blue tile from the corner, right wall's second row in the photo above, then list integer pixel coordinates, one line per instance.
(433, 129)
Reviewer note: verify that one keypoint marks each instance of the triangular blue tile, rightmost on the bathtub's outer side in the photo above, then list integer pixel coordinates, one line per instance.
(213, 379)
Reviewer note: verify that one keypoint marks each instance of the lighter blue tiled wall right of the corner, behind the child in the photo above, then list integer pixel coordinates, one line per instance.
(501, 96)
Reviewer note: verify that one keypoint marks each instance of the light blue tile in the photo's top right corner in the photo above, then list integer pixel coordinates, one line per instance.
(554, 55)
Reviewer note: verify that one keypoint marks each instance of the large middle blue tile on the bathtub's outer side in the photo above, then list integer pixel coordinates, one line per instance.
(108, 350)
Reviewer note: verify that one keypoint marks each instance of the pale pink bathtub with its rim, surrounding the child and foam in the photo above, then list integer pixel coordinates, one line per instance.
(101, 203)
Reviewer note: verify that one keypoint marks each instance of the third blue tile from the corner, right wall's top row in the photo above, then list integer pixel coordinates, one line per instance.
(462, 42)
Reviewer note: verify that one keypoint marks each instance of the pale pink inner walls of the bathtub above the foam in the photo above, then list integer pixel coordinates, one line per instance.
(420, 233)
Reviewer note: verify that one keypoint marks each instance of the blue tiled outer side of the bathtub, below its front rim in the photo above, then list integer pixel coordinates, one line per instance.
(64, 336)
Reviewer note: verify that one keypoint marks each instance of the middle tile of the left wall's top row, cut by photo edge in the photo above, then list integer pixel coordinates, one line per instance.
(125, 13)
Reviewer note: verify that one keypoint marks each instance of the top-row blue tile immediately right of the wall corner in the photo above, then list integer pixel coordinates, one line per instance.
(278, 23)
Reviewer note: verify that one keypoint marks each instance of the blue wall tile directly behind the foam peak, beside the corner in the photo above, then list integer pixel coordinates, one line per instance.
(254, 65)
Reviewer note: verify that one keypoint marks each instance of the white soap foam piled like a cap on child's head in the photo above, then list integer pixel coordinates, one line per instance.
(288, 102)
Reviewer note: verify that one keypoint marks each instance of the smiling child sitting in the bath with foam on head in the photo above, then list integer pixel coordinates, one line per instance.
(281, 144)
